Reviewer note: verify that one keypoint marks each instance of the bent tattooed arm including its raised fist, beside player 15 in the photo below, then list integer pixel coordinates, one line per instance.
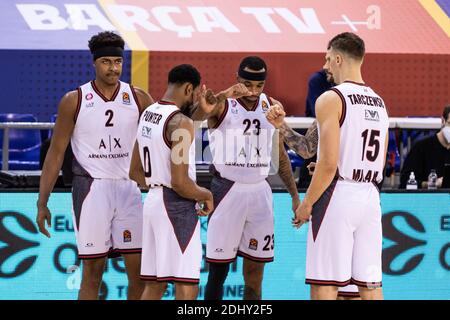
(304, 145)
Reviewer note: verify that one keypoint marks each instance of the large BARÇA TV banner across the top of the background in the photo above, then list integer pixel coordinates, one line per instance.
(388, 26)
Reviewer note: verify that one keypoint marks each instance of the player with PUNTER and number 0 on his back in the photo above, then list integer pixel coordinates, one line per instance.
(164, 160)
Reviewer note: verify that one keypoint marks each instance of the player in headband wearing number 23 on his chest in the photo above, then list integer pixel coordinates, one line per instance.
(242, 223)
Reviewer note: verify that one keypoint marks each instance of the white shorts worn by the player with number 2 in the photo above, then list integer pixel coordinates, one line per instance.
(107, 215)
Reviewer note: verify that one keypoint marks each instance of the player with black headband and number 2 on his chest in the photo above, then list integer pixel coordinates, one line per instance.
(100, 120)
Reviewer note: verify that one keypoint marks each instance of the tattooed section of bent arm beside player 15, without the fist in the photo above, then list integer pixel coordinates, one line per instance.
(304, 145)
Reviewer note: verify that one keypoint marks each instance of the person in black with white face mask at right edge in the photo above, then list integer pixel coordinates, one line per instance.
(429, 153)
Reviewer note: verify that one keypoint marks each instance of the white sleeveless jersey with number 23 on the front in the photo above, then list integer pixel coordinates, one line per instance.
(241, 142)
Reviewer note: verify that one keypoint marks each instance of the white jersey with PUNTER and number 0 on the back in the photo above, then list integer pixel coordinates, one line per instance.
(155, 149)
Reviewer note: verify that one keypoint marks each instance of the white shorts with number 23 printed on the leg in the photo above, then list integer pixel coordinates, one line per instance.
(242, 222)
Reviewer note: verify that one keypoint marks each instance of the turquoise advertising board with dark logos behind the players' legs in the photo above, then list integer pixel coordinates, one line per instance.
(416, 252)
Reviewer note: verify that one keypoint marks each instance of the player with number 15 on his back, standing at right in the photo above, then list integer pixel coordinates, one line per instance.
(343, 202)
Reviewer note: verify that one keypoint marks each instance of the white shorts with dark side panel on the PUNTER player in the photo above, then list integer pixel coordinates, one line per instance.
(171, 245)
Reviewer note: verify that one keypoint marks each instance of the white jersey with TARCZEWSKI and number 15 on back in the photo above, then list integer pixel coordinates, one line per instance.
(364, 126)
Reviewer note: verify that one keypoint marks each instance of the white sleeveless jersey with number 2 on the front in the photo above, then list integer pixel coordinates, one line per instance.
(105, 131)
